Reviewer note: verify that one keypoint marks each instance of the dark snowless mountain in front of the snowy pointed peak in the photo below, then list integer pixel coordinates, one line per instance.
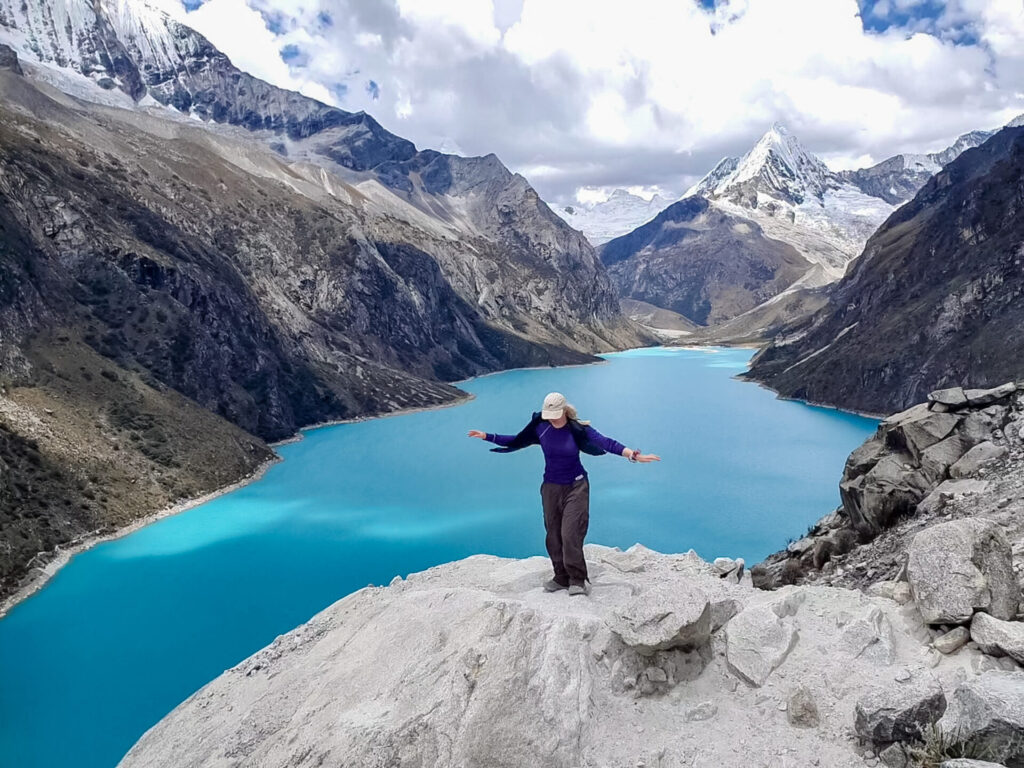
(702, 263)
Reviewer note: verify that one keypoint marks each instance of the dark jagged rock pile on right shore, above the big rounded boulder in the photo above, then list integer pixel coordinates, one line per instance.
(959, 456)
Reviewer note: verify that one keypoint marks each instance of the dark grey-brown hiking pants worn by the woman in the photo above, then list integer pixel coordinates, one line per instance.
(567, 518)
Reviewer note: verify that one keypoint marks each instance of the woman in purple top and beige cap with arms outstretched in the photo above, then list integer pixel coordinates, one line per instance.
(566, 491)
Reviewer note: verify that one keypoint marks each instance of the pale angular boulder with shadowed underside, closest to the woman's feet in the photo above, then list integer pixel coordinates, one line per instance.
(665, 617)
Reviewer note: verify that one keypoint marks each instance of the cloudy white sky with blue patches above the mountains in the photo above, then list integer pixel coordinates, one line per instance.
(586, 96)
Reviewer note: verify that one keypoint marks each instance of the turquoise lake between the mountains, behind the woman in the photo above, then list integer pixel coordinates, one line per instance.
(133, 627)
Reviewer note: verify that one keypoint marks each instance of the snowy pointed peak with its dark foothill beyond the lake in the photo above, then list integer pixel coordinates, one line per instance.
(777, 199)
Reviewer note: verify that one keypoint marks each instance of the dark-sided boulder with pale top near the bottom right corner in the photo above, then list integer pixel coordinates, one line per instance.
(902, 712)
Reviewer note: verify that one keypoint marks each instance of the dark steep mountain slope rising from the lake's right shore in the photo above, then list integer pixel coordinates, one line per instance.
(937, 298)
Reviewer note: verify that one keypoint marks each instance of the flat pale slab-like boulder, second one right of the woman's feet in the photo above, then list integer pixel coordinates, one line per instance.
(760, 637)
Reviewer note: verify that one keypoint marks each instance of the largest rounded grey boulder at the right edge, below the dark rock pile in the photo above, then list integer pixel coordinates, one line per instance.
(962, 567)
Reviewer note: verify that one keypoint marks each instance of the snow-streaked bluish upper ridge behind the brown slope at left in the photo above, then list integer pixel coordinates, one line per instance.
(137, 52)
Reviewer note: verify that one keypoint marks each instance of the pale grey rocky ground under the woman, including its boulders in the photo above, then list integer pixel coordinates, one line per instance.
(670, 662)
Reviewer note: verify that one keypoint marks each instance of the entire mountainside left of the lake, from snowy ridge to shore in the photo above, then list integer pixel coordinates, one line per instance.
(191, 251)
